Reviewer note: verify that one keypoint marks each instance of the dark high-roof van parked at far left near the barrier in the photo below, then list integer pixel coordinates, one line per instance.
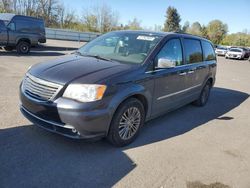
(20, 32)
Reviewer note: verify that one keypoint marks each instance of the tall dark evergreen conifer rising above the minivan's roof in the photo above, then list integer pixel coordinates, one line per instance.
(172, 23)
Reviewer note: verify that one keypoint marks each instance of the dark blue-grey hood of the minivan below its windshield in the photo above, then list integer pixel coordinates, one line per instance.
(72, 67)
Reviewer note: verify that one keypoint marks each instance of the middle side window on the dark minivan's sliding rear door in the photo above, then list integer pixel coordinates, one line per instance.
(193, 51)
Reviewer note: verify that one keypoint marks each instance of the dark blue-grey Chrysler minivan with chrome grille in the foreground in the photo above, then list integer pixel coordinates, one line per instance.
(113, 84)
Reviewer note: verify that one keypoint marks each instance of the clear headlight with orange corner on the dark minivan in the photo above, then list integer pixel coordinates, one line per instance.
(85, 92)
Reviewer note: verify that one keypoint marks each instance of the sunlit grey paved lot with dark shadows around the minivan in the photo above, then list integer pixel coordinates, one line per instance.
(191, 147)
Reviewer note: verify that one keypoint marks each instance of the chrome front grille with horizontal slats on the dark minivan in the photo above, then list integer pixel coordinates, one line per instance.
(40, 89)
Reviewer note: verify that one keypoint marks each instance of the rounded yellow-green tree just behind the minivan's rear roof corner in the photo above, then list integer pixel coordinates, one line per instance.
(216, 31)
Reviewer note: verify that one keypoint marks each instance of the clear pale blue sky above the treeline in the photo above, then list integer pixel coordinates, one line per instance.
(236, 14)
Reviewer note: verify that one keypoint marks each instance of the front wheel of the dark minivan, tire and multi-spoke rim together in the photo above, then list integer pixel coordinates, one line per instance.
(126, 123)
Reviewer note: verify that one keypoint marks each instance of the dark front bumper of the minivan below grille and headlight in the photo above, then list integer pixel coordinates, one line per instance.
(67, 117)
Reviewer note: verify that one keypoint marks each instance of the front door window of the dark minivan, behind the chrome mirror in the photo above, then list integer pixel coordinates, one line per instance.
(172, 51)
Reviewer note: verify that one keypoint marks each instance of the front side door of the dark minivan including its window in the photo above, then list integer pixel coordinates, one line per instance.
(170, 83)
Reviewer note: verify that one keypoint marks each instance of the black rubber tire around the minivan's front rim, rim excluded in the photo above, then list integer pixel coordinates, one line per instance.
(113, 135)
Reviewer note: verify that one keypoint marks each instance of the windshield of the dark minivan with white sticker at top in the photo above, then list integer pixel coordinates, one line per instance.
(125, 47)
